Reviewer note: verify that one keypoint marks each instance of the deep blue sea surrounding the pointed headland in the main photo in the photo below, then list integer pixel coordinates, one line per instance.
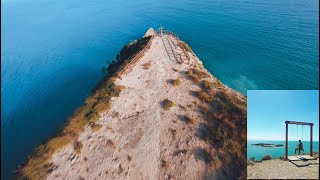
(52, 52)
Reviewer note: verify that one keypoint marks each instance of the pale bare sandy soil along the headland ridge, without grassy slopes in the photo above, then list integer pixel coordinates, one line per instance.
(138, 138)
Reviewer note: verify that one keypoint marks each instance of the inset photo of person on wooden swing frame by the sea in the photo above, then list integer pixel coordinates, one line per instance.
(283, 134)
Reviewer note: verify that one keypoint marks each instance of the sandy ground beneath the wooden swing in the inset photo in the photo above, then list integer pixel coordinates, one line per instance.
(278, 169)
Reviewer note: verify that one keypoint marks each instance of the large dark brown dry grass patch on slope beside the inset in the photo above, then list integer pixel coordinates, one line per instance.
(225, 125)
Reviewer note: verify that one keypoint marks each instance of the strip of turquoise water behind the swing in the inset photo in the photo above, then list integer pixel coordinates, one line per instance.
(258, 152)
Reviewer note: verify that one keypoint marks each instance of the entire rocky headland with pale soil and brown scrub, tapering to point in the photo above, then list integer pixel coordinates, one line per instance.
(171, 119)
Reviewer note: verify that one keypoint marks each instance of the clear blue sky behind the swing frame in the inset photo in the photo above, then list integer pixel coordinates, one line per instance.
(269, 109)
